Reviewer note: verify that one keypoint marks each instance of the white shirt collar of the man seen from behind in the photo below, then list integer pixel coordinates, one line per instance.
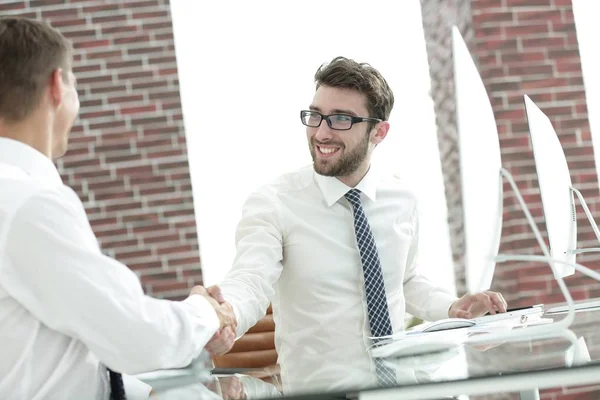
(29, 160)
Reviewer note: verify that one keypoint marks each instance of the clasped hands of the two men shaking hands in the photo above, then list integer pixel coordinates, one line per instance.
(223, 340)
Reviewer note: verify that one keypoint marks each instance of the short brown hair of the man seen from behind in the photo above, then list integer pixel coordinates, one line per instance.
(29, 52)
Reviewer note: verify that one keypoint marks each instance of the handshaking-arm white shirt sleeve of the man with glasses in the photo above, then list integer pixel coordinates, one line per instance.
(249, 286)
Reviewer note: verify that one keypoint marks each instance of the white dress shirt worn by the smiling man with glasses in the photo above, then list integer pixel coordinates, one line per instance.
(296, 248)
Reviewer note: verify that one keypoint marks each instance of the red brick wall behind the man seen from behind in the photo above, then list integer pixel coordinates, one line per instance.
(127, 157)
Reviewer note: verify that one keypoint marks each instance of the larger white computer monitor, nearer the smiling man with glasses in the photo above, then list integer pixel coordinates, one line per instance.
(480, 165)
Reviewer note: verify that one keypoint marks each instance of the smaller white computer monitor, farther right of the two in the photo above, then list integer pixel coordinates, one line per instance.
(555, 187)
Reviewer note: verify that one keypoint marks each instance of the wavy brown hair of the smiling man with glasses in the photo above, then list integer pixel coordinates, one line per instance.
(344, 73)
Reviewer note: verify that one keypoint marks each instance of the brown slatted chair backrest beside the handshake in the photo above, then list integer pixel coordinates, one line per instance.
(255, 349)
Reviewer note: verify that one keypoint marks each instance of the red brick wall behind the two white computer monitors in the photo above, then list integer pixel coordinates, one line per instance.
(530, 47)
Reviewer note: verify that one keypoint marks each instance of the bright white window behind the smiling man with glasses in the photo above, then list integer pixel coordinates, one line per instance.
(237, 58)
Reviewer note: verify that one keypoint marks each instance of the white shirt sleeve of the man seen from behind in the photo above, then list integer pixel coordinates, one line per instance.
(56, 270)
